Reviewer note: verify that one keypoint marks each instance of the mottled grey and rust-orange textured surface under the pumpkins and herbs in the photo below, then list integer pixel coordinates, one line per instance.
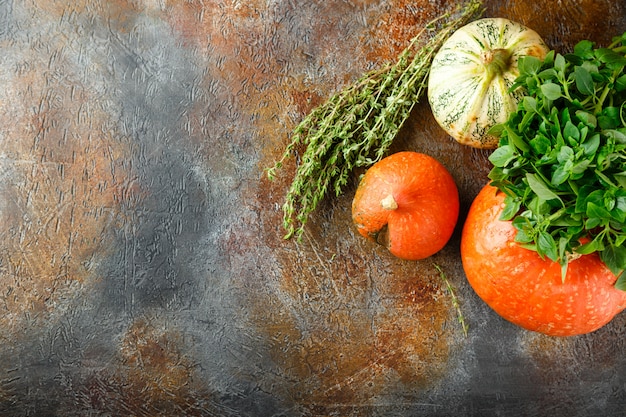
(142, 270)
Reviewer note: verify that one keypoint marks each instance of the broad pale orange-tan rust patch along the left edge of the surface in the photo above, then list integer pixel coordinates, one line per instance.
(64, 191)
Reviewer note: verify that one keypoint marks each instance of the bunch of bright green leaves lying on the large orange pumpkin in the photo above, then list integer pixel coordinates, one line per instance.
(561, 159)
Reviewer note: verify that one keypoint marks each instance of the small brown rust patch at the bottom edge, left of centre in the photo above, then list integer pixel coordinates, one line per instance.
(153, 377)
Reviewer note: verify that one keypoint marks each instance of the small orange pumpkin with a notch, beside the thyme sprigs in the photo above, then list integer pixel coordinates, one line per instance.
(409, 203)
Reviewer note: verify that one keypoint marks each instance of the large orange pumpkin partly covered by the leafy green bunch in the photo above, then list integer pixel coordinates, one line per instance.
(528, 290)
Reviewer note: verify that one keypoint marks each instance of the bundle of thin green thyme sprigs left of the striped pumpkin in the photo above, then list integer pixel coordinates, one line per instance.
(355, 127)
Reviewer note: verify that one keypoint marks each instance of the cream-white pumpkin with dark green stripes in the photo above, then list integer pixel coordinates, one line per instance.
(471, 74)
